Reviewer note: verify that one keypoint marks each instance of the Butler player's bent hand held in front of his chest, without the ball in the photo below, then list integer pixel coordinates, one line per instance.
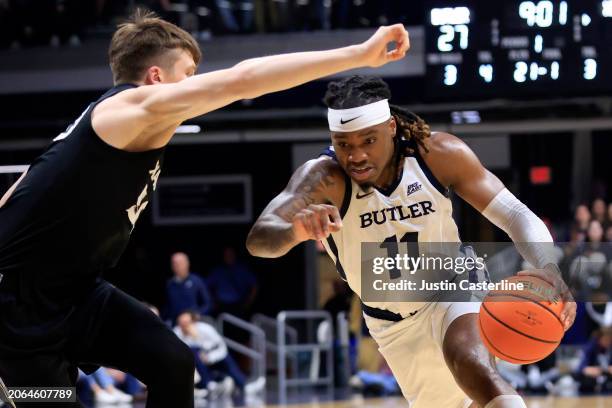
(316, 222)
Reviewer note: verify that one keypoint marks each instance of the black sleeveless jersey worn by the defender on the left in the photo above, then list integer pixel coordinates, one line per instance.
(69, 219)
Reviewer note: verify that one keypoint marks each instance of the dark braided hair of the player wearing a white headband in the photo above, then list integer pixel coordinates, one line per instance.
(359, 90)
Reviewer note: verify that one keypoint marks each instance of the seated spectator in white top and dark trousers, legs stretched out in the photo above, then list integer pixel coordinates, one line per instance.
(213, 362)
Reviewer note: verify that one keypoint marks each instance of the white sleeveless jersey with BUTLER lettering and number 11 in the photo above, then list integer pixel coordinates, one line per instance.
(416, 208)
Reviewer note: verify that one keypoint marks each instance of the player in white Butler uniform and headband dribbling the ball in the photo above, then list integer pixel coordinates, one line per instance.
(387, 175)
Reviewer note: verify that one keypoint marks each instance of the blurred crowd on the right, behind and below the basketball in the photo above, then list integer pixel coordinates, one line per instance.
(583, 364)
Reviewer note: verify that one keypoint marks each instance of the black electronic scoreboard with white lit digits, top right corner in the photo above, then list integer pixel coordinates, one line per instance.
(513, 48)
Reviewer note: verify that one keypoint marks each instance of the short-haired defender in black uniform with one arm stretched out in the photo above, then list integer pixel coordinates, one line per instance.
(70, 216)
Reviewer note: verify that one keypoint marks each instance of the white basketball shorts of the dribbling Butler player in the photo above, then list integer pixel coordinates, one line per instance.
(413, 350)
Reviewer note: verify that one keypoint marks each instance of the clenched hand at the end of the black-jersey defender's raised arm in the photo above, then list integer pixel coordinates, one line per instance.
(375, 48)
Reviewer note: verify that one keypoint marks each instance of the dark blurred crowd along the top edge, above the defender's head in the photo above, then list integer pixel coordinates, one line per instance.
(25, 23)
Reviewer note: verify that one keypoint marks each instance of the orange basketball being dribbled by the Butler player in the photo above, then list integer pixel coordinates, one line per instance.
(521, 326)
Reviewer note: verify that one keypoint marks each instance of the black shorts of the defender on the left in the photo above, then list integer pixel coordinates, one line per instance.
(110, 329)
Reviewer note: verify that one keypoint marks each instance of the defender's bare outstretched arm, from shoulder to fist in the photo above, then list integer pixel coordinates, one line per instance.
(155, 109)
